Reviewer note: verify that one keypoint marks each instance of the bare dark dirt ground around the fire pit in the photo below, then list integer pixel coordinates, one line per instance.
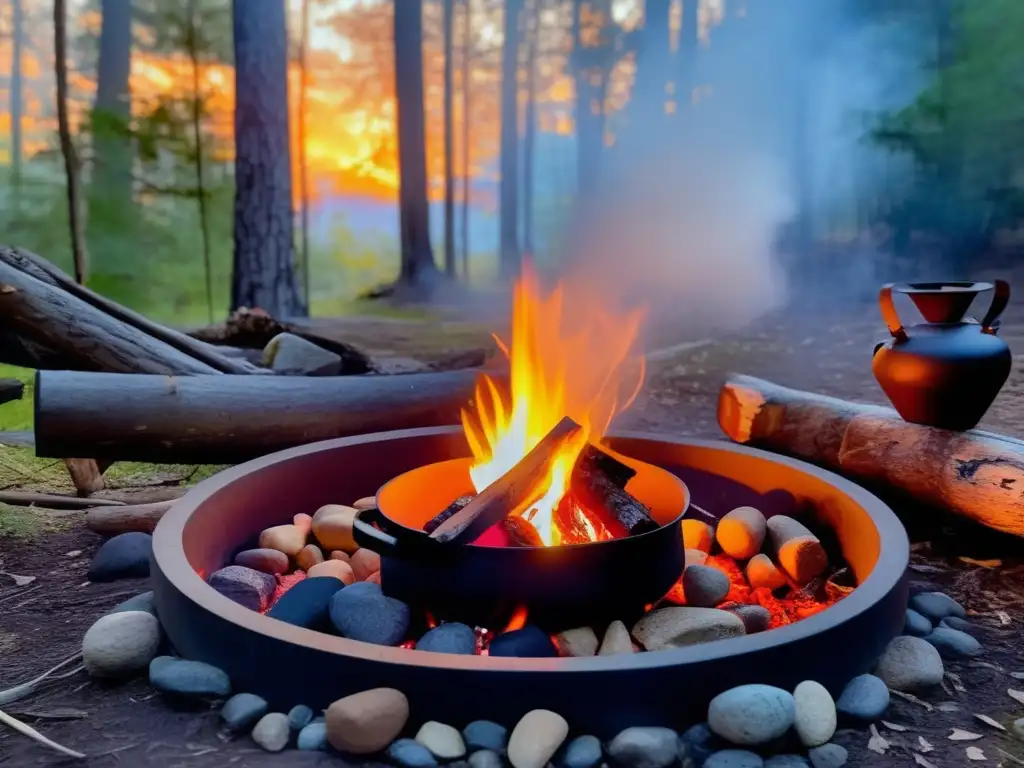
(42, 623)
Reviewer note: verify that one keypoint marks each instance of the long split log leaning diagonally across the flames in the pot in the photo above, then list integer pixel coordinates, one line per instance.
(509, 493)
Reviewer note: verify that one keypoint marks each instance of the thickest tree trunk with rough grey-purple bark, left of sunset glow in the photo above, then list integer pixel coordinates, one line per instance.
(265, 254)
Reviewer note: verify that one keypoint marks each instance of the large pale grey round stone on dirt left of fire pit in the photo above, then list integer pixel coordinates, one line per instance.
(120, 646)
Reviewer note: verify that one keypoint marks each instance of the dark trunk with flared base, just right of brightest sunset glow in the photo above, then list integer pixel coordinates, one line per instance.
(418, 268)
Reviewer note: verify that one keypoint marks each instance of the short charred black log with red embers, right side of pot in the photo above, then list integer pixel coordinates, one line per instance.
(599, 484)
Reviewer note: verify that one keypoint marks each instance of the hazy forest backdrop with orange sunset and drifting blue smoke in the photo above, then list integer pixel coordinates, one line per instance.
(708, 158)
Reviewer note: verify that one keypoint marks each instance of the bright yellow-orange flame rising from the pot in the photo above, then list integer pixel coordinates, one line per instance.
(570, 356)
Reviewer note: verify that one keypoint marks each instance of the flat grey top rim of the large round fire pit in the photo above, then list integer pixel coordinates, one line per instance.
(173, 567)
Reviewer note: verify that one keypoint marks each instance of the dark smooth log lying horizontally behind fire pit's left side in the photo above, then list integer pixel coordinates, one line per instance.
(230, 419)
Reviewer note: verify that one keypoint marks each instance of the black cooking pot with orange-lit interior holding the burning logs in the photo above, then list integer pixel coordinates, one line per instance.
(561, 587)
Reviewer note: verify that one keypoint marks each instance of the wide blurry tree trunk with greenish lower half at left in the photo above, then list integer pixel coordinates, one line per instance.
(111, 184)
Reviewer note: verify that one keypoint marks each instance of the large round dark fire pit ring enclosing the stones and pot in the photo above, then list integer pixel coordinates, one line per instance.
(288, 665)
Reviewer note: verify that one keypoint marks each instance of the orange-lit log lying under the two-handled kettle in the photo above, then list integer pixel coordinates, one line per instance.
(975, 474)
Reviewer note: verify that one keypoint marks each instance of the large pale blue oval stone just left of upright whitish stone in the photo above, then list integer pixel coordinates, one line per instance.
(750, 715)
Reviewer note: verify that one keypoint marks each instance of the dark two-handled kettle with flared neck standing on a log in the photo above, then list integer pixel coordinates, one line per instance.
(945, 372)
